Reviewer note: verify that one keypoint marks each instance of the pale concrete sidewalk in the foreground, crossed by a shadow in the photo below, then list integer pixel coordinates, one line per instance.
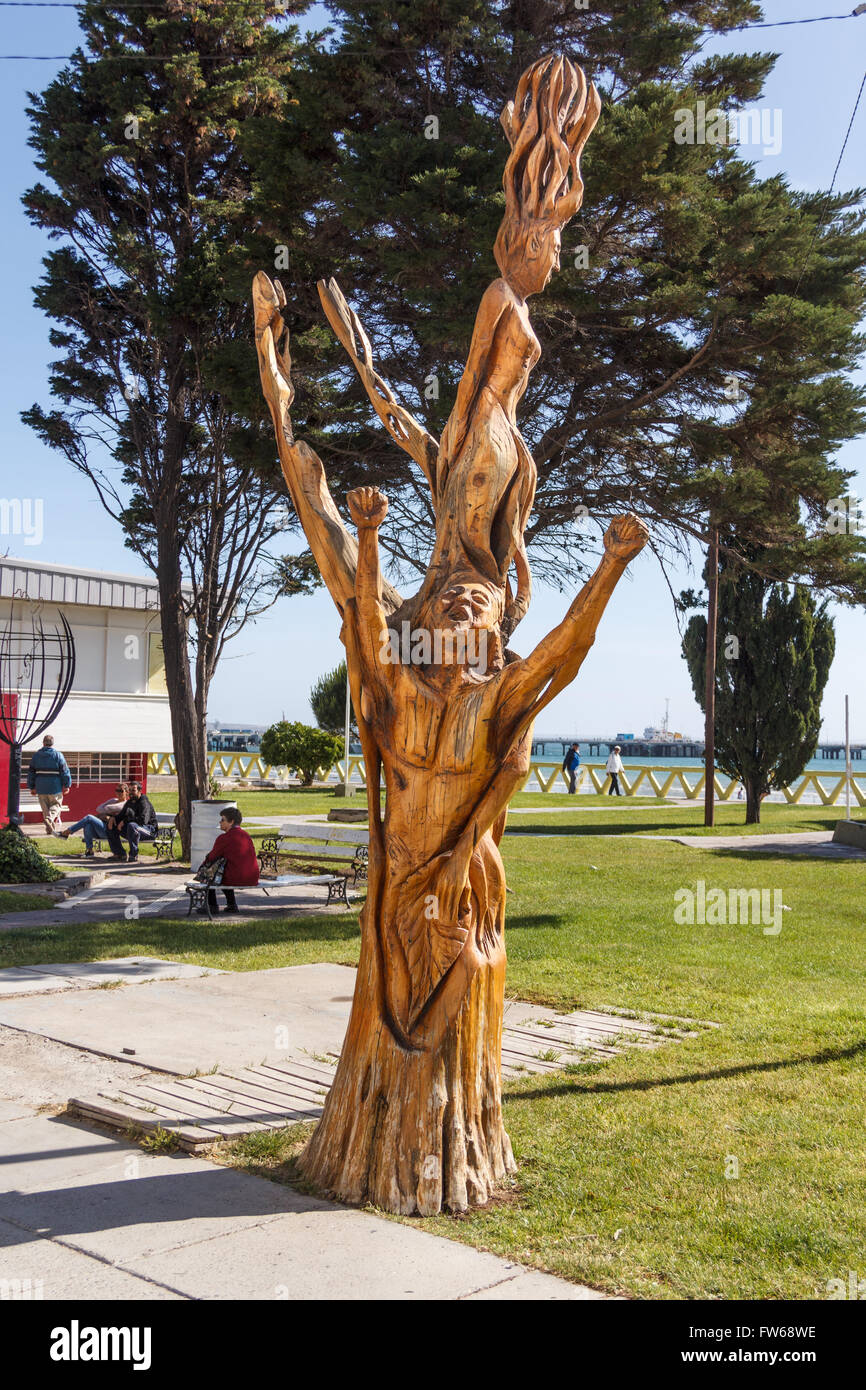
(84, 1216)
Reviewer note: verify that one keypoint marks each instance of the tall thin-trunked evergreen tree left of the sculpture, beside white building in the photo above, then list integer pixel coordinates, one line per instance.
(141, 138)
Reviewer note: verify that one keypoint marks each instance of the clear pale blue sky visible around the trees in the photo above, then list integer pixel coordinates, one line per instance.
(268, 672)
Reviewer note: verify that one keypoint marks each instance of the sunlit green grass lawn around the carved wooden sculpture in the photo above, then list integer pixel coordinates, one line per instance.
(622, 1179)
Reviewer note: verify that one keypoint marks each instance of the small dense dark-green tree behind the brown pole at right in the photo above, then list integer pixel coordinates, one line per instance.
(774, 653)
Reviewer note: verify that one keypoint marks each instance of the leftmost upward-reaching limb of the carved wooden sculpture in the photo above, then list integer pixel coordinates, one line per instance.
(333, 547)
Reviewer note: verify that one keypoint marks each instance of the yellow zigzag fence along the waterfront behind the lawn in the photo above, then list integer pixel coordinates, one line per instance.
(647, 782)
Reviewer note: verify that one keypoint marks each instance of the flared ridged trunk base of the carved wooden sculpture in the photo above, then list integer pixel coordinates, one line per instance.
(415, 1129)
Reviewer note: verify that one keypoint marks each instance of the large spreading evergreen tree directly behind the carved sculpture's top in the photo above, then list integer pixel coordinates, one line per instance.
(696, 345)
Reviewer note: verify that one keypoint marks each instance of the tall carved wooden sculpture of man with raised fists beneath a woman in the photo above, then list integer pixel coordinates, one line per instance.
(414, 1121)
